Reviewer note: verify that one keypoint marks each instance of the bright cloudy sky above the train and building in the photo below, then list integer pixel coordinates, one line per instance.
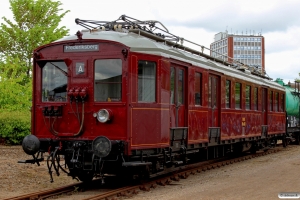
(199, 20)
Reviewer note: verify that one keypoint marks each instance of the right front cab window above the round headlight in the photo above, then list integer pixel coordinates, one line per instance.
(108, 80)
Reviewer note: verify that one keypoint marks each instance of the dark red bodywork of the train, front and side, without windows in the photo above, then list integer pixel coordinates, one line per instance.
(147, 125)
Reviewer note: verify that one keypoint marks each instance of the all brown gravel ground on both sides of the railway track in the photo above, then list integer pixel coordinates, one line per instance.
(258, 178)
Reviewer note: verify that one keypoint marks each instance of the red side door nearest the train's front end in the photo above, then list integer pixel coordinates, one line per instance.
(178, 96)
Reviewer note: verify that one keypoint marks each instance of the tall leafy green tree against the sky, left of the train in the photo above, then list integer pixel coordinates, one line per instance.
(36, 23)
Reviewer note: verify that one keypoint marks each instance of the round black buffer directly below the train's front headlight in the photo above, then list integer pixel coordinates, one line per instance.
(101, 146)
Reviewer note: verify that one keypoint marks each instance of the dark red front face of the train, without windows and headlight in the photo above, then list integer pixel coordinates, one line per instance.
(68, 123)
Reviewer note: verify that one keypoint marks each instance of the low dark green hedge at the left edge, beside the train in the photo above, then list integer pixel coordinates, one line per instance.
(14, 125)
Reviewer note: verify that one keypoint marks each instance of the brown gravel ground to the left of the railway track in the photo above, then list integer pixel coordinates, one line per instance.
(16, 178)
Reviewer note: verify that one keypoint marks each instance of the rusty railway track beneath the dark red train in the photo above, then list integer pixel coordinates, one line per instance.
(129, 191)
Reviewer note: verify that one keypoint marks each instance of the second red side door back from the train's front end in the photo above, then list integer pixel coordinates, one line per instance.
(213, 101)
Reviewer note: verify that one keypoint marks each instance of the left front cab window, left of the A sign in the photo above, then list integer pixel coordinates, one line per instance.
(54, 81)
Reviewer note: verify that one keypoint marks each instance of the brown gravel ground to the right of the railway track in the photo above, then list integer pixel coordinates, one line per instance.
(257, 178)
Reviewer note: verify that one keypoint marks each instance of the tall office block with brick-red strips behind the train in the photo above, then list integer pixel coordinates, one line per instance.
(247, 49)
